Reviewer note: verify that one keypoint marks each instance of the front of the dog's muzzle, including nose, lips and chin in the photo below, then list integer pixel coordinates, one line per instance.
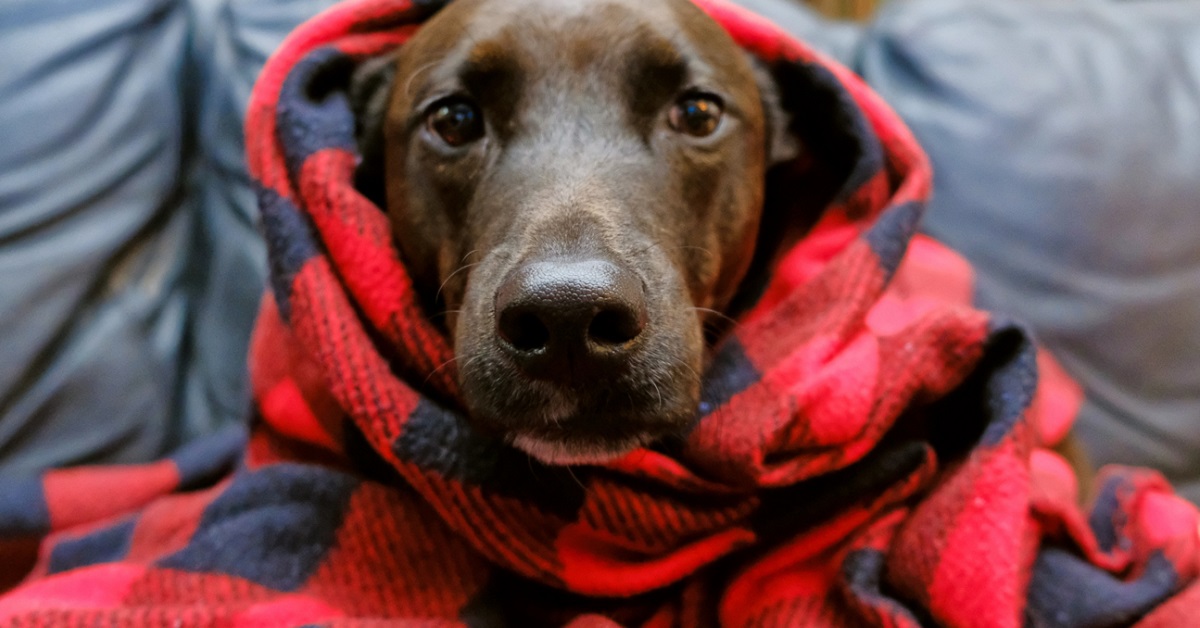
(578, 361)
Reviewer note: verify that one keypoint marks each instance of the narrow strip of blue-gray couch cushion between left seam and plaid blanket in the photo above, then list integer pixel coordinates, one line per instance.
(232, 40)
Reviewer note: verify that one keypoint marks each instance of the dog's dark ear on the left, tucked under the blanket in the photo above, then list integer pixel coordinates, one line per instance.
(369, 94)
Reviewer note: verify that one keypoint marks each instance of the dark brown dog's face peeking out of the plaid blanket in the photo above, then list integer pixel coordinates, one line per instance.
(578, 186)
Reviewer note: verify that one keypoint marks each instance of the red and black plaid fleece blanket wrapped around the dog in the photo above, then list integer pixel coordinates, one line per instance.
(869, 450)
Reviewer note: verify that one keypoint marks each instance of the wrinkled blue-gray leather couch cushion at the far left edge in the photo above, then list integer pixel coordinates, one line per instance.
(92, 243)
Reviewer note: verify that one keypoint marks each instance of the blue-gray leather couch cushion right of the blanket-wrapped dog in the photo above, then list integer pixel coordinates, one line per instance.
(1066, 146)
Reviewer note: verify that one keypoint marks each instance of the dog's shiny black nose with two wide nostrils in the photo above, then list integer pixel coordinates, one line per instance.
(571, 319)
